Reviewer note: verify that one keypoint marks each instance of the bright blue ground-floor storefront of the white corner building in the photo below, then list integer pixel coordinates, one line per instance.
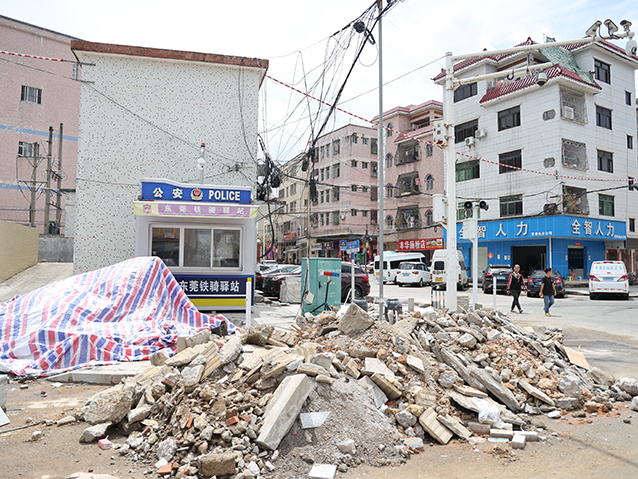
(565, 243)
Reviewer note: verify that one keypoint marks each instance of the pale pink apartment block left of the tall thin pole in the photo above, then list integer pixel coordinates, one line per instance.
(345, 208)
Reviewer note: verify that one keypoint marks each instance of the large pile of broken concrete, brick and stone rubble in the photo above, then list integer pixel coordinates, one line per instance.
(341, 389)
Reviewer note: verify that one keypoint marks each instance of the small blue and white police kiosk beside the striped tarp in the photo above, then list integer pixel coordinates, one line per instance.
(205, 234)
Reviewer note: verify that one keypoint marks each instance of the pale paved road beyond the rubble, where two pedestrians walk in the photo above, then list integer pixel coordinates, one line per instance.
(605, 331)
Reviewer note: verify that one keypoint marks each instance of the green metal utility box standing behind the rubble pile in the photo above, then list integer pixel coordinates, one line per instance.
(320, 284)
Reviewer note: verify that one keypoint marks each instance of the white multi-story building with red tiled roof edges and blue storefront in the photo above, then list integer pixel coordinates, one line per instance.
(554, 162)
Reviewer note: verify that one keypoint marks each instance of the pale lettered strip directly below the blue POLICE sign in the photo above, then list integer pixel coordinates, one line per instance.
(183, 209)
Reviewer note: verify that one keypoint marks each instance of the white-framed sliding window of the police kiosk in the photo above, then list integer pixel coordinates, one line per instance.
(197, 247)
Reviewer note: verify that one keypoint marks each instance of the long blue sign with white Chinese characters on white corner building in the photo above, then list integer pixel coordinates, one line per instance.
(549, 226)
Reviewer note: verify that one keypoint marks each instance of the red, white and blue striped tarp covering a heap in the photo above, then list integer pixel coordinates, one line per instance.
(125, 312)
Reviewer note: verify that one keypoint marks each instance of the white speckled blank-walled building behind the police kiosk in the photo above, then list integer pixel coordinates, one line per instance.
(144, 113)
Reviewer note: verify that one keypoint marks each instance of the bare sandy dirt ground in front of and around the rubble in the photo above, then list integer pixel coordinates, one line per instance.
(591, 447)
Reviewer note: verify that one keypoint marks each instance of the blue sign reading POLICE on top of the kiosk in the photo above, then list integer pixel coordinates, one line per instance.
(153, 189)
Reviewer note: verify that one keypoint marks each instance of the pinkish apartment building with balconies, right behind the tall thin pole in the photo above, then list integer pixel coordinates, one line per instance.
(413, 172)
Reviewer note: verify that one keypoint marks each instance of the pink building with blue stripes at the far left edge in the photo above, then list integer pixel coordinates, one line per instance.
(35, 94)
